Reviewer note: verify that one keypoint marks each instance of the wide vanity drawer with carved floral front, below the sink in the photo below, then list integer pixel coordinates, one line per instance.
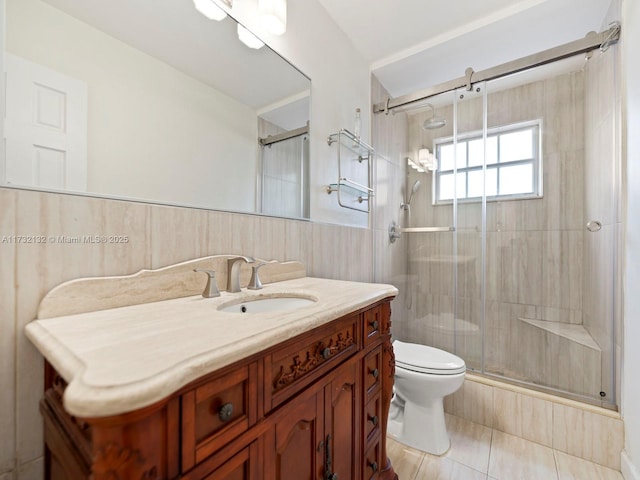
(293, 367)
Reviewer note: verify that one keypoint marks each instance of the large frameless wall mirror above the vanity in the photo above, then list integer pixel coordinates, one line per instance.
(150, 100)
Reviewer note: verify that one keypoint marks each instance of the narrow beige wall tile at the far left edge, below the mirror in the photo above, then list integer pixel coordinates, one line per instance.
(8, 249)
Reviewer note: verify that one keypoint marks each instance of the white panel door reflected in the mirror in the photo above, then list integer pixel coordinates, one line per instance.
(45, 127)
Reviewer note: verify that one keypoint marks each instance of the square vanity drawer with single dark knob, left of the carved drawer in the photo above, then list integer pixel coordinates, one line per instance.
(217, 412)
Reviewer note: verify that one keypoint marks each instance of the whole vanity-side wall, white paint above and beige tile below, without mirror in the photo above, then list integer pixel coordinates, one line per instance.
(161, 235)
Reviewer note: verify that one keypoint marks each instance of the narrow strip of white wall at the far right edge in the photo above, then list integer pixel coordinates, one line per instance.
(630, 44)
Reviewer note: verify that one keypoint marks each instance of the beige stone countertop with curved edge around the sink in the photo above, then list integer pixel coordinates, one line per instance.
(122, 359)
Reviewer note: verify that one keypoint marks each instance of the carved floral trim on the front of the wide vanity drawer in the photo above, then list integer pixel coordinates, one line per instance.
(317, 355)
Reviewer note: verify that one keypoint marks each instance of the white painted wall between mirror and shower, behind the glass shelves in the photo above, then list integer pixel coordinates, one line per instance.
(339, 85)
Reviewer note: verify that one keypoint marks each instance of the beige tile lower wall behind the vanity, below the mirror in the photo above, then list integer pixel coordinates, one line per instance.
(157, 236)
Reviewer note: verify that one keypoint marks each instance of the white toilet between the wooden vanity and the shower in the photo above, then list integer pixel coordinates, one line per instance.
(424, 376)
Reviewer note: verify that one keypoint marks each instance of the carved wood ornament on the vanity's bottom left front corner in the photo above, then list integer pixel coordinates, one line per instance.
(113, 462)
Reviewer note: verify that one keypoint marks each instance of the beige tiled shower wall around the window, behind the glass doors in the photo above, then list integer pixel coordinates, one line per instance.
(535, 264)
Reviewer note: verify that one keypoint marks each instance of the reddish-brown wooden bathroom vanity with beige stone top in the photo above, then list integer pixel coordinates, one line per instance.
(187, 388)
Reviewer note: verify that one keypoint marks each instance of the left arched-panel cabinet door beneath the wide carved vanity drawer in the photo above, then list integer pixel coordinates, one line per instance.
(297, 450)
